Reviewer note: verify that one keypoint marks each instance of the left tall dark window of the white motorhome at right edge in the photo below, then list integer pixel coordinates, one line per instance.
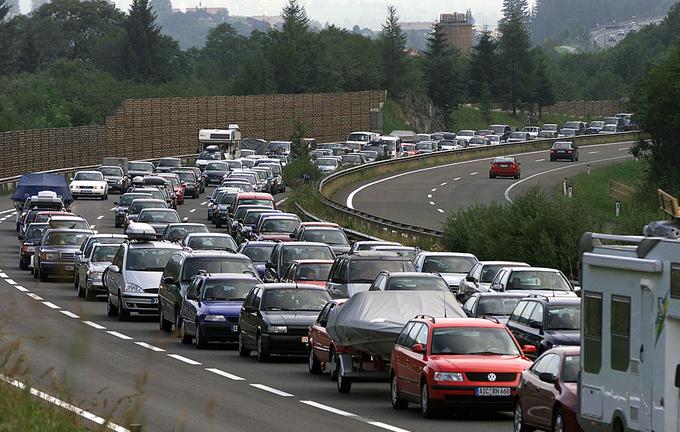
(592, 332)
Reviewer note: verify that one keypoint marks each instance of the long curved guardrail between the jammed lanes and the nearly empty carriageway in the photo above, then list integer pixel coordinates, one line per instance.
(337, 181)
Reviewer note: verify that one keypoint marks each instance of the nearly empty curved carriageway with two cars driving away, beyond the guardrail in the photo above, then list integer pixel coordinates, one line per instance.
(425, 197)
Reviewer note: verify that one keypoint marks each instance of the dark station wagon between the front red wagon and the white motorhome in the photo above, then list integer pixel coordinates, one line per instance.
(545, 322)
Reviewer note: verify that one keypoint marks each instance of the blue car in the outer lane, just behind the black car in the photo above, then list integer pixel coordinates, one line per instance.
(211, 307)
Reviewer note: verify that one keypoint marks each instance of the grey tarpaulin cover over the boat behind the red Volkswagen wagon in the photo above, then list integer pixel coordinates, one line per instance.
(371, 321)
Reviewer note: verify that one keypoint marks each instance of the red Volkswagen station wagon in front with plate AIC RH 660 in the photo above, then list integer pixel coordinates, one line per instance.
(464, 361)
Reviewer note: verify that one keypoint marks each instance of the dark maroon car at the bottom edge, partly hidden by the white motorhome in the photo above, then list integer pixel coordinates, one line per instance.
(546, 397)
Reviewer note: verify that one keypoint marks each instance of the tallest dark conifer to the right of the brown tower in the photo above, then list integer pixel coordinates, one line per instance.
(514, 47)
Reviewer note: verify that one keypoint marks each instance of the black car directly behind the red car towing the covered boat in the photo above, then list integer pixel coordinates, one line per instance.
(275, 319)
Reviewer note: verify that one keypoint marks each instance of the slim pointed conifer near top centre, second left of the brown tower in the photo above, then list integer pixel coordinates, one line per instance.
(392, 42)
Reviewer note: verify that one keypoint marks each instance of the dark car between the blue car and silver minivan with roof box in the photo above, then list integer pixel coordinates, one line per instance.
(182, 267)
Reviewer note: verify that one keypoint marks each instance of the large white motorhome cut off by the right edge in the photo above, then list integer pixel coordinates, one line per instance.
(630, 355)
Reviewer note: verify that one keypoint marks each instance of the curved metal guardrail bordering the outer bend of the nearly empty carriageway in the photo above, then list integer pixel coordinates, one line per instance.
(411, 230)
